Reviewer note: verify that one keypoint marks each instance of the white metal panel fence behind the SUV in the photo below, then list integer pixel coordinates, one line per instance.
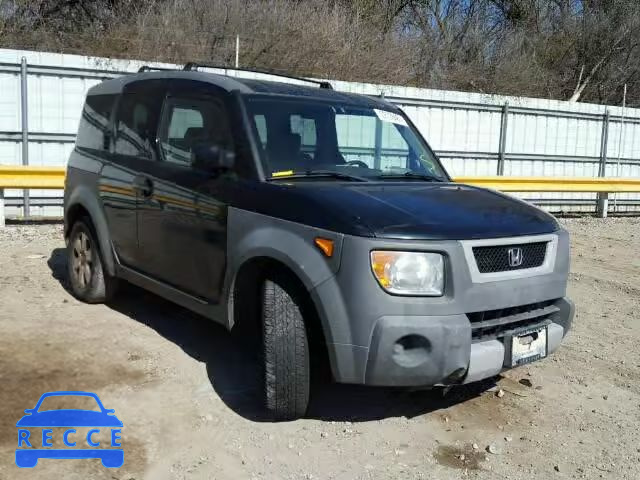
(41, 97)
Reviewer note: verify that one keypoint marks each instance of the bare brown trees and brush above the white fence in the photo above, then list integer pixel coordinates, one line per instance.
(578, 50)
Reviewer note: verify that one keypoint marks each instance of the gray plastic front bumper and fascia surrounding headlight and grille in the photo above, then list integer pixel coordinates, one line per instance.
(367, 330)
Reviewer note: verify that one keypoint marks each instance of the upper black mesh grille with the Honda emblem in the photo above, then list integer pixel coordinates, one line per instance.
(497, 258)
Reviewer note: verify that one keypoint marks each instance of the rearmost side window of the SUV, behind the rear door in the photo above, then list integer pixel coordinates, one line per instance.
(94, 131)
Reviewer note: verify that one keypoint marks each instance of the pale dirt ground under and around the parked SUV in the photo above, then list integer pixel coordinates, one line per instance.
(186, 392)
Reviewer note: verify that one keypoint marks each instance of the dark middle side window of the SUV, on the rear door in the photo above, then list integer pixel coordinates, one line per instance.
(137, 122)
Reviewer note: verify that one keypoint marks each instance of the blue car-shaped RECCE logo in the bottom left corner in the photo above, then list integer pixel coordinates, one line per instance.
(28, 453)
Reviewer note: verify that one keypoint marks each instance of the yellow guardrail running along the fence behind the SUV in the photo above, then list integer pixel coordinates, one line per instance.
(53, 177)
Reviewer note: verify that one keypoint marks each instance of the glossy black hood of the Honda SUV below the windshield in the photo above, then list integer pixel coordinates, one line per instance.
(437, 211)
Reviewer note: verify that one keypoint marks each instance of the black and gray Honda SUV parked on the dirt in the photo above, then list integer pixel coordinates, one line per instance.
(319, 224)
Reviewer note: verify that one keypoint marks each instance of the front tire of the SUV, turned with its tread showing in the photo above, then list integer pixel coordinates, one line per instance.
(287, 377)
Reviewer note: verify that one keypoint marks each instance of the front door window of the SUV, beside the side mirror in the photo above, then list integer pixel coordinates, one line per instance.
(188, 122)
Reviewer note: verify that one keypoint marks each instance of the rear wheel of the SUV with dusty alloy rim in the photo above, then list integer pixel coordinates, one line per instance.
(89, 282)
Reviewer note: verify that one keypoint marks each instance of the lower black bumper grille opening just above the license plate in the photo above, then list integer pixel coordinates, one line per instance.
(502, 322)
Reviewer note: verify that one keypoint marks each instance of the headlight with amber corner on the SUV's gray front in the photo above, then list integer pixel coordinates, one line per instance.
(409, 273)
